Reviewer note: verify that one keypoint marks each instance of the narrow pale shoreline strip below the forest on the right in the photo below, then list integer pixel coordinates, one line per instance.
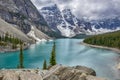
(102, 47)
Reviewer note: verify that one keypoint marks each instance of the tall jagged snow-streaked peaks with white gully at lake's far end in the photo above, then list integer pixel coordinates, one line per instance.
(63, 21)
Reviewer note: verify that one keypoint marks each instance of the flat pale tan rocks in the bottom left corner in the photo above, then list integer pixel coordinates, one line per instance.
(19, 75)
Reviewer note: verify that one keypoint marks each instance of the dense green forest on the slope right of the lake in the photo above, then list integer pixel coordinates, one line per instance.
(111, 39)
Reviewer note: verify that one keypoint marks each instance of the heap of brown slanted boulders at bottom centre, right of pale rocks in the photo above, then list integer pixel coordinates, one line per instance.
(69, 73)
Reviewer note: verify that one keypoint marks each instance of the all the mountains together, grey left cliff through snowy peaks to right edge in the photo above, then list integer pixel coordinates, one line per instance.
(51, 20)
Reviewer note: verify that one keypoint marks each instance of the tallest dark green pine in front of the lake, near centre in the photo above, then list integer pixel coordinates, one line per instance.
(53, 56)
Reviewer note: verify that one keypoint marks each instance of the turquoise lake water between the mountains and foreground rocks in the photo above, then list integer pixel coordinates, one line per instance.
(68, 52)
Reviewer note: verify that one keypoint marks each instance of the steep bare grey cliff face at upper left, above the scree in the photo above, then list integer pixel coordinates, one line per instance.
(22, 13)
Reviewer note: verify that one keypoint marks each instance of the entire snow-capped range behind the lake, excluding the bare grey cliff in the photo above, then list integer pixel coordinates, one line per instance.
(67, 24)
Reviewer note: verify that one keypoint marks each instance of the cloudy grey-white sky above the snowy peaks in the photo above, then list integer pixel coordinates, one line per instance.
(92, 9)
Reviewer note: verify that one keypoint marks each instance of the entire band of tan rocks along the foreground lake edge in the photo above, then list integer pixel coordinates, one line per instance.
(57, 72)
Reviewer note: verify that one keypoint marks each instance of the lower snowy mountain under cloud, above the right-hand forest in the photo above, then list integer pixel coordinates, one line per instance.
(105, 25)
